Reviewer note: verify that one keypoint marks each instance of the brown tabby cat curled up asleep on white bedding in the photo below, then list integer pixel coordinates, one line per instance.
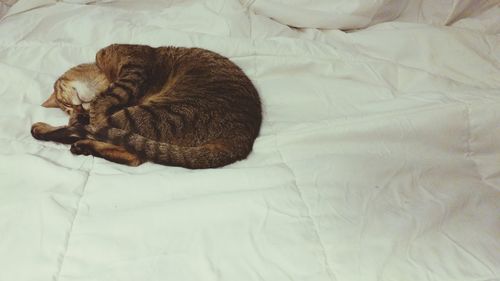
(175, 106)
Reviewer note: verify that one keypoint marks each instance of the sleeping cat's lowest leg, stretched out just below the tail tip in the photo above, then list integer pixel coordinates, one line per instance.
(111, 152)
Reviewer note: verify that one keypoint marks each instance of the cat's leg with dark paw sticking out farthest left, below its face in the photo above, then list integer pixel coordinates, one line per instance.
(62, 134)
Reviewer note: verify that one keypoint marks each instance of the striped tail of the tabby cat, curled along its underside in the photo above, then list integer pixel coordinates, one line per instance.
(209, 155)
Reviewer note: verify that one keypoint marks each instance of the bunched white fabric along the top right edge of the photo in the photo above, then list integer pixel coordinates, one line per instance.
(355, 14)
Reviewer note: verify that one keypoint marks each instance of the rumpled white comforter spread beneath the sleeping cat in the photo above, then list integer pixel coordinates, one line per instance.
(378, 159)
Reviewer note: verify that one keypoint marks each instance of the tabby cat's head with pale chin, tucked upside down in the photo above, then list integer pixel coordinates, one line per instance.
(76, 88)
